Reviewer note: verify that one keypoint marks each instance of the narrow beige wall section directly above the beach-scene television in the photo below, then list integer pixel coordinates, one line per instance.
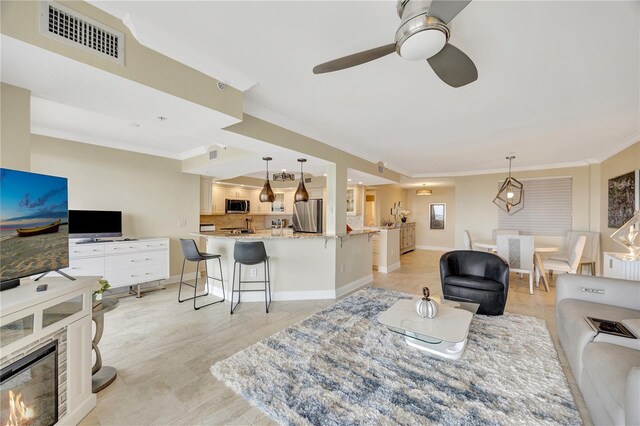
(15, 127)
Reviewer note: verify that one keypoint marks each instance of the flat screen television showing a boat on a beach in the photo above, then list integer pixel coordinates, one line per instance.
(33, 225)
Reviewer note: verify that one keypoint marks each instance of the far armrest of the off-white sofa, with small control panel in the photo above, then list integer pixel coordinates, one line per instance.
(608, 291)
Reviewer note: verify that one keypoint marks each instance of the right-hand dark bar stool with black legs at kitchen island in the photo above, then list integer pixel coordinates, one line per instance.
(250, 253)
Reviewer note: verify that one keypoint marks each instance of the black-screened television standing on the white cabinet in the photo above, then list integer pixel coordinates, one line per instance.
(93, 224)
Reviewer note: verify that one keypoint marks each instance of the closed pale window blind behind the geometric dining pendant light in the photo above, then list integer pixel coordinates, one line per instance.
(547, 207)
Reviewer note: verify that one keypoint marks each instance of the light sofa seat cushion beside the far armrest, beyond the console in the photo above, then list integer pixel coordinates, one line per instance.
(573, 330)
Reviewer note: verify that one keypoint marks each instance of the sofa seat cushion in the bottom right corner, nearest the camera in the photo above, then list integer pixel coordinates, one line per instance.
(607, 367)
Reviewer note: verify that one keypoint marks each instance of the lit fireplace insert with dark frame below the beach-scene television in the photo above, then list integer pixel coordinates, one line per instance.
(29, 389)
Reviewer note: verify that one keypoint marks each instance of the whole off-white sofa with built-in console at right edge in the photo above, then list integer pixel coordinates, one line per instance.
(607, 368)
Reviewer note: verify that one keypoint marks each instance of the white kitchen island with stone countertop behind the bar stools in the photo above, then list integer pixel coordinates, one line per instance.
(303, 266)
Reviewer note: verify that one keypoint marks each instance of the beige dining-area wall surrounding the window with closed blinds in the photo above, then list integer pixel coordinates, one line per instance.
(476, 212)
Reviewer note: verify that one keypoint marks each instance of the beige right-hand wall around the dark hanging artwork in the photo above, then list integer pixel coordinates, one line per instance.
(621, 163)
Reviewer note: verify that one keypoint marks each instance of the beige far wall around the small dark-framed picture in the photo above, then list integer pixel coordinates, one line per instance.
(419, 207)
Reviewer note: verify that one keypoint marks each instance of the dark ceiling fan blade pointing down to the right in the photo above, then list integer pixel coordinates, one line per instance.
(453, 66)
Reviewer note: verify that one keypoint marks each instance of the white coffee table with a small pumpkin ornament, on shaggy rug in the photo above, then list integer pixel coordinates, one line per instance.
(444, 335)
